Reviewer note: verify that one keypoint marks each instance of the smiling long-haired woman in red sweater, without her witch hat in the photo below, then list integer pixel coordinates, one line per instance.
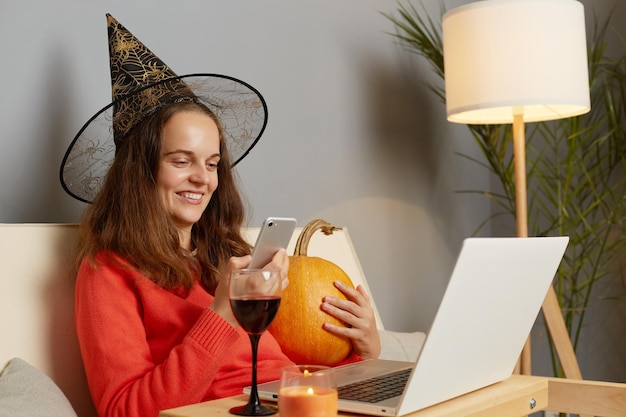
(157, 246)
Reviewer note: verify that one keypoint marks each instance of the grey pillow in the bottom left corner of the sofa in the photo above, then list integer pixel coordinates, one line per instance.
(27, 392)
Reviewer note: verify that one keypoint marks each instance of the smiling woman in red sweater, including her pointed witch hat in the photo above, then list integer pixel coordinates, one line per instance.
(153, 318)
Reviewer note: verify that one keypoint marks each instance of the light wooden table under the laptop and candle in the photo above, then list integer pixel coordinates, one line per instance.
(516, 396)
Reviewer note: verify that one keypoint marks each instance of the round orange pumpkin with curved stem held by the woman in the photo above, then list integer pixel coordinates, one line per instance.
(298, 324)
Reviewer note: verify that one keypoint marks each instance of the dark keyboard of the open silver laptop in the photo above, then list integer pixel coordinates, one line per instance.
(376, 389)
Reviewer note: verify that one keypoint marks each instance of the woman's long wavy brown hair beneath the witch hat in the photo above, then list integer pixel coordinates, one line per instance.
(127, 218)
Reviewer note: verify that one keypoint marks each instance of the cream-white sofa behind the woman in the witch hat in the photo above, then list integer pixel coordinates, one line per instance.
(37, 306)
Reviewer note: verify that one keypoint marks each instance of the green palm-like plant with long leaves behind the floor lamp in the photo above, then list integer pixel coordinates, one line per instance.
(576, 168)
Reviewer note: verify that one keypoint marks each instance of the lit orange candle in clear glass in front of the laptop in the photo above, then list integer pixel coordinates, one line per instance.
(310, 401)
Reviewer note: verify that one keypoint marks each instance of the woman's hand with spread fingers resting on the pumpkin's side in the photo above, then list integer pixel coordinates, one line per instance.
(358, 315)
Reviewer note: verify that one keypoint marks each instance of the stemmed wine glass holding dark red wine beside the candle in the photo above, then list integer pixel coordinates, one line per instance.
(254, 298)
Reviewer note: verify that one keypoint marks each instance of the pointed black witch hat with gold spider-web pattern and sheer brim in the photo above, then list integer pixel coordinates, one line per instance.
(141, 83)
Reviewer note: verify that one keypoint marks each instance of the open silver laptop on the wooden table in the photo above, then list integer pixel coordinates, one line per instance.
(493, 297)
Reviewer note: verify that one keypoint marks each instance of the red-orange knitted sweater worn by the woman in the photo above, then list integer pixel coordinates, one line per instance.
(146, 349)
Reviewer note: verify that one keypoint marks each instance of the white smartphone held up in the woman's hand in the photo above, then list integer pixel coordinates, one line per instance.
(275, 233)
